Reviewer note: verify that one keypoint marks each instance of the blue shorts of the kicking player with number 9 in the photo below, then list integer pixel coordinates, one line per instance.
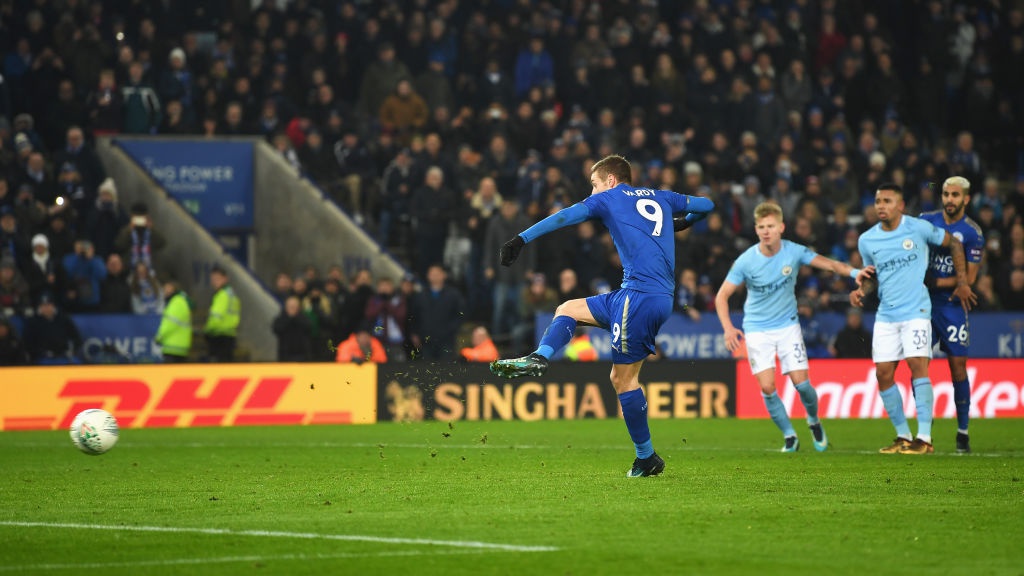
(633, 318)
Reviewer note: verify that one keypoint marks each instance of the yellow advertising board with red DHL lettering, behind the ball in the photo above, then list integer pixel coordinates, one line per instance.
(191, 395)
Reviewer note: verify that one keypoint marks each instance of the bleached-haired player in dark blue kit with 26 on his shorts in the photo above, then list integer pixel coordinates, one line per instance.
(950, 320)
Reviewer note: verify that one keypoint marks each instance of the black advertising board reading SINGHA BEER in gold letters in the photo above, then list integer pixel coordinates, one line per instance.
(569, 391)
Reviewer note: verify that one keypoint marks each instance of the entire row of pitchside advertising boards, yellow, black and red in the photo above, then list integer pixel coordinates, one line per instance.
(231, 395)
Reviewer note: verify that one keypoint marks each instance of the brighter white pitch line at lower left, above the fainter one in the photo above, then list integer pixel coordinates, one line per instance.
(280, 534)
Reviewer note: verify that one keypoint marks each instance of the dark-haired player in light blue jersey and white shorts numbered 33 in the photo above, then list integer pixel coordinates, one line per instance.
(898, 248)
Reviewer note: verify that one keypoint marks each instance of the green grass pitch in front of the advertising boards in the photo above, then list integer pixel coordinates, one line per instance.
(511, 499)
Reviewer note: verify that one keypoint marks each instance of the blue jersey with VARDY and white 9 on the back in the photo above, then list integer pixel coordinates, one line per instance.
(641, 223)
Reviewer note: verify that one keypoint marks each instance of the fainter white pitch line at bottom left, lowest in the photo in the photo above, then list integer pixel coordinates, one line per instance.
(227, 560)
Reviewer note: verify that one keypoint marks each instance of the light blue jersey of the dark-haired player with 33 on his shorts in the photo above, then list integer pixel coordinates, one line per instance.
(901, 260)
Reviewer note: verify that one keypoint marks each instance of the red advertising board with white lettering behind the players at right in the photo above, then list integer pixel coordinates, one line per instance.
(848, 389)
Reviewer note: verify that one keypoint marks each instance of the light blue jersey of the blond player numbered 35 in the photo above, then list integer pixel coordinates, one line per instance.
(772, 282)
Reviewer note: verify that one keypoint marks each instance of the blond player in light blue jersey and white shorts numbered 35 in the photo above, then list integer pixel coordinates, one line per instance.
(772, 327)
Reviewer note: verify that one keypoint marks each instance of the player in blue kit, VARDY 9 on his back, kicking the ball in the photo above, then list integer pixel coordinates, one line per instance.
(643, 224)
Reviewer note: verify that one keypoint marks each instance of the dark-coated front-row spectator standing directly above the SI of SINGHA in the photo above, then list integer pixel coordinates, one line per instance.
(437, 314)
